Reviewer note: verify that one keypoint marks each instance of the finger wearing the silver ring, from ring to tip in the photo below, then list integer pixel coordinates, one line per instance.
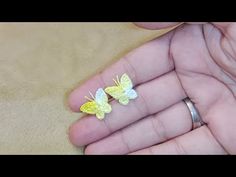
(169, 123)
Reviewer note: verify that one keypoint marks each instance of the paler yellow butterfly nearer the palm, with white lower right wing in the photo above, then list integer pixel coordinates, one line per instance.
(123, 91)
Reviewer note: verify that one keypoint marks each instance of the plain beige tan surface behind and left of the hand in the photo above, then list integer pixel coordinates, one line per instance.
(40, 63)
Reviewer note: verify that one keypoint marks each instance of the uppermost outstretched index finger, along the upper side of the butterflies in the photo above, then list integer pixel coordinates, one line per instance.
(143, 64)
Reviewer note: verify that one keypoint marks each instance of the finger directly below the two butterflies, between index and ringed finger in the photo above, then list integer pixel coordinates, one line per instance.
(154, 96)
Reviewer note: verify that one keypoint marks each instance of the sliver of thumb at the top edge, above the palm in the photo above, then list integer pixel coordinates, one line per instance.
(156, 25)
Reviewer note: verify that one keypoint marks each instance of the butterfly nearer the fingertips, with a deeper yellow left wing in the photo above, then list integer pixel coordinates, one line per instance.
(98, 105)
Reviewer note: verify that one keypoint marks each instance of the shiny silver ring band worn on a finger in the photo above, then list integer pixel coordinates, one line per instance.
(196, 118)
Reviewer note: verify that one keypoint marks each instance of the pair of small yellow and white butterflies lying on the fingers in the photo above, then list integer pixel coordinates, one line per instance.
(123, 92)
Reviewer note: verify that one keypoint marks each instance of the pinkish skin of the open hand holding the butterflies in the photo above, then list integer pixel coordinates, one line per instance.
(193, 60)
